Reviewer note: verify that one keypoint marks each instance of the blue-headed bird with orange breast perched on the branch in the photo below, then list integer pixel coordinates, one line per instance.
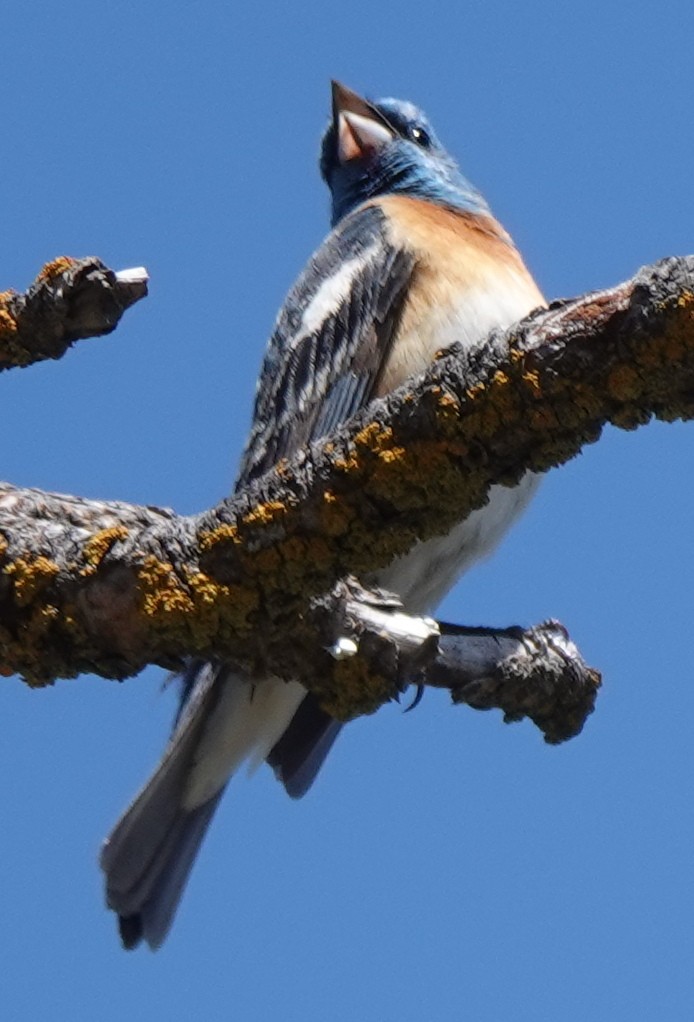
(415, 262)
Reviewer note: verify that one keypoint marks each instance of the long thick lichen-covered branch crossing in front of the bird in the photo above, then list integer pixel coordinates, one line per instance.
(109, 588)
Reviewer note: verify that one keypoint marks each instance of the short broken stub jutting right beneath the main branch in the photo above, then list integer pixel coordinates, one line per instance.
(535, 673)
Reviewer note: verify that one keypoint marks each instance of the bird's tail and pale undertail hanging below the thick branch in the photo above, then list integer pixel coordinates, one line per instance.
(224, 720)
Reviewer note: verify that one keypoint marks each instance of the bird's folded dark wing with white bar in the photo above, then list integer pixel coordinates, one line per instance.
(331, 341)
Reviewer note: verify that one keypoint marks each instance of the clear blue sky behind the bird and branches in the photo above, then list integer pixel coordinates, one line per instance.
(446, 866)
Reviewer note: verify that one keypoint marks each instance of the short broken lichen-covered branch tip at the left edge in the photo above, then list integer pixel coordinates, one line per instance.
(70, 300)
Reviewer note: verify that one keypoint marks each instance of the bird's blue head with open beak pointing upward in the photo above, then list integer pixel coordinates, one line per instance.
(389, 148)
